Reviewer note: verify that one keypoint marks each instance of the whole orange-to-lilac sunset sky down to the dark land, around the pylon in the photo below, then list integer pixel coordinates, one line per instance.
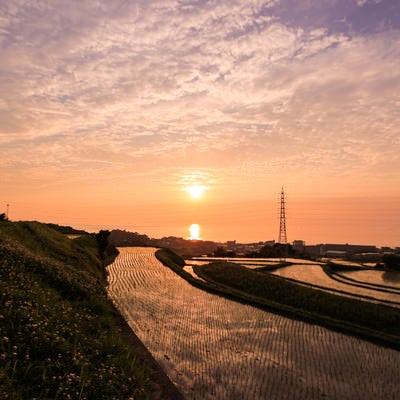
(152, 115)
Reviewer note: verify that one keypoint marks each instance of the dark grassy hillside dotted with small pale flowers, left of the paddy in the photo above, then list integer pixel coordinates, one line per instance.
(58, 338)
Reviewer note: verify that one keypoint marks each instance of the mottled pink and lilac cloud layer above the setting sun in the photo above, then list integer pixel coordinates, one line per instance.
(119, 86)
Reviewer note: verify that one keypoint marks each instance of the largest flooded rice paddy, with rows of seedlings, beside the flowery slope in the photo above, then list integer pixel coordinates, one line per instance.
(214, 348)
